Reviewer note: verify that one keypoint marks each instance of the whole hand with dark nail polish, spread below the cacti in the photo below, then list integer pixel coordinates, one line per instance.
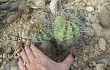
(33, 59)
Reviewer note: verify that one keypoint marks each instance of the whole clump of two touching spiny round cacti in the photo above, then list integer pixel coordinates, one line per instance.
(65, 29)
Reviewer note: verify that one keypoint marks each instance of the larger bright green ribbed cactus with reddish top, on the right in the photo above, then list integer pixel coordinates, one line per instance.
(66, 30)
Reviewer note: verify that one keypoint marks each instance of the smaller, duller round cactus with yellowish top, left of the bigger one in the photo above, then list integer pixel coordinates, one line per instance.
(41, 31)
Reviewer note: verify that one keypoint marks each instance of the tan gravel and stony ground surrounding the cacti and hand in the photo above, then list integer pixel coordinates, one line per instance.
(16, 17)
